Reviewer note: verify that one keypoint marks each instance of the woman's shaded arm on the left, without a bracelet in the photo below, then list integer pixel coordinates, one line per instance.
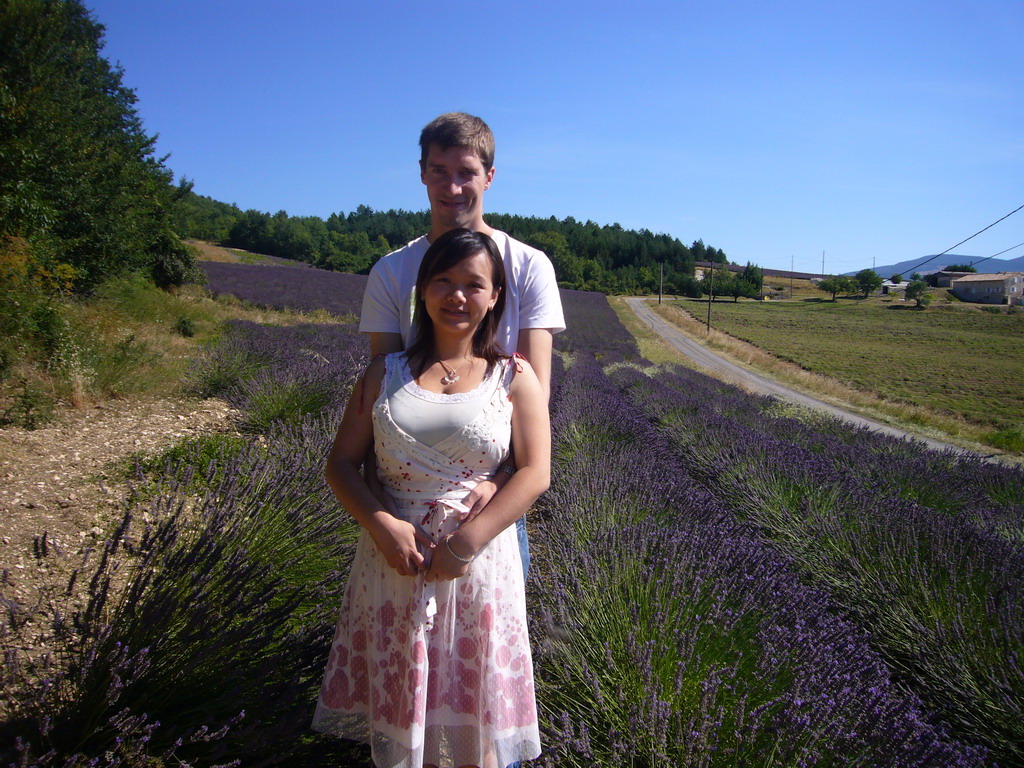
(396, 539)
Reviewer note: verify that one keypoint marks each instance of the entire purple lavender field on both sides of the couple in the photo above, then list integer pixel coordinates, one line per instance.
(717, 581)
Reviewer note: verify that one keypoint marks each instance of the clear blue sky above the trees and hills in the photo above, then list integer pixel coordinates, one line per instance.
(776, 132)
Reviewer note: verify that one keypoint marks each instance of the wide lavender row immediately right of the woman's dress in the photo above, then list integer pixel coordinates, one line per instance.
(670, 636)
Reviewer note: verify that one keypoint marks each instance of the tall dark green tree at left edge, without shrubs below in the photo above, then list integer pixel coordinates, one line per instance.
(78, 177)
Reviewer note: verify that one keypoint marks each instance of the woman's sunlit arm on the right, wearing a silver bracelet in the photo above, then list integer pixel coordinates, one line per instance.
(532, 438)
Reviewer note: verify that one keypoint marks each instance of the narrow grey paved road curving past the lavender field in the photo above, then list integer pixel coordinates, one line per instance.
(733, 373)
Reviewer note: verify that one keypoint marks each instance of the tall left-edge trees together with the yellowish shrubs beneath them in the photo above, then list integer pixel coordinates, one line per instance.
(84, 202)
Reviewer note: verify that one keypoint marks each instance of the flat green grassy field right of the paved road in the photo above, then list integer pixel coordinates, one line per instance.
(965, 363)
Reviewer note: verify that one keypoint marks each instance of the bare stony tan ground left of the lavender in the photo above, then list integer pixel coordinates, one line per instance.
(59, 480)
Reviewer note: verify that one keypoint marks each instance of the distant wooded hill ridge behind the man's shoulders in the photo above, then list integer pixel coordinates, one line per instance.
(586, 255)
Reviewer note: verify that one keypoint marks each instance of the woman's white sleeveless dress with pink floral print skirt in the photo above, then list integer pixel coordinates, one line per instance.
(437, 673)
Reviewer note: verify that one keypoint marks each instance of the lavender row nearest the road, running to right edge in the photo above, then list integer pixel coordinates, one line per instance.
(938, 587)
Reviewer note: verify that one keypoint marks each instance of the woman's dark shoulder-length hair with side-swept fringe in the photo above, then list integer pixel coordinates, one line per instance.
(450, 249)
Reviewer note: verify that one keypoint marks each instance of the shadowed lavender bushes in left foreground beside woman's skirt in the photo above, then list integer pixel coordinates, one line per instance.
(206, 615)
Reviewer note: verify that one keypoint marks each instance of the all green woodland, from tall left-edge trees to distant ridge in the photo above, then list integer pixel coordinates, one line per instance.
(84, 198)
